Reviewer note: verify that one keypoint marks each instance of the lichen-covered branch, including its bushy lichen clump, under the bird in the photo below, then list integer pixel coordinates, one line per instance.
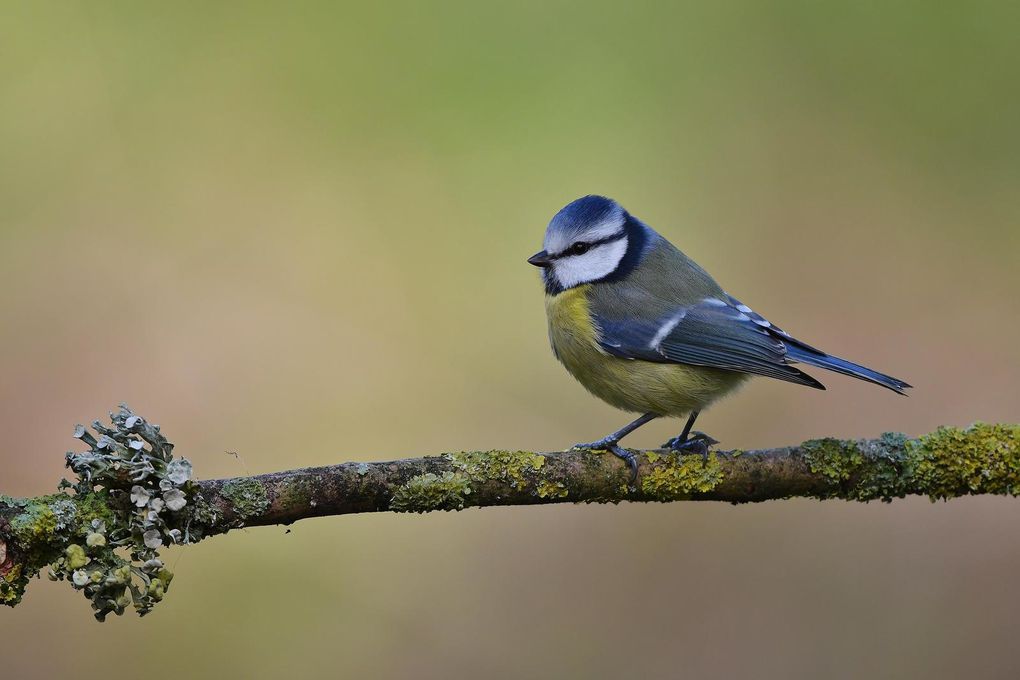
(133, 497)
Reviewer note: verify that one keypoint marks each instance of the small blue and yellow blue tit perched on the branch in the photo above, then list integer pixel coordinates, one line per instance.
(648, 331)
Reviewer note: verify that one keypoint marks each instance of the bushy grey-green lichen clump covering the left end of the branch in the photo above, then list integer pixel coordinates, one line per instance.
(105, 540)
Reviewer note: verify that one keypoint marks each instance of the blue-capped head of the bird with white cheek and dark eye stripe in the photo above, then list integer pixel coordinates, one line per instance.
(590, 240)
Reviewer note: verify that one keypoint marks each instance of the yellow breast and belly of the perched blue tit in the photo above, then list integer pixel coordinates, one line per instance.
(644, 387)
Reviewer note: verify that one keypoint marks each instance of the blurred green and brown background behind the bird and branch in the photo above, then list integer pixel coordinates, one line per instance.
(298, 231)
